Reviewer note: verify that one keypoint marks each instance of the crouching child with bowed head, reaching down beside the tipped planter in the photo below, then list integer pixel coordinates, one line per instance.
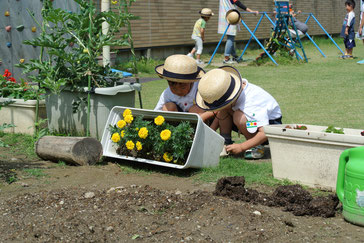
(240, 104)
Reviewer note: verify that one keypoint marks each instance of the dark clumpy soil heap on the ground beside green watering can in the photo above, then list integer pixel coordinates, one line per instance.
(292, 198)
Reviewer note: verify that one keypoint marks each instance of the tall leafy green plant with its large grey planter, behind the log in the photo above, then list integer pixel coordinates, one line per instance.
(80, 93)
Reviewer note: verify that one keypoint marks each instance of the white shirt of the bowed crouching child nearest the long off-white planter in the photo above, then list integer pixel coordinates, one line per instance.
(257, 104)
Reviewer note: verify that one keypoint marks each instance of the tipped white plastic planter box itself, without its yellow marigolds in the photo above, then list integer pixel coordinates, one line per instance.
(206, 146)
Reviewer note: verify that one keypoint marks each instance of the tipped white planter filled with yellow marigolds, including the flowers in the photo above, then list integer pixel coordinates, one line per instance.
(170, 139)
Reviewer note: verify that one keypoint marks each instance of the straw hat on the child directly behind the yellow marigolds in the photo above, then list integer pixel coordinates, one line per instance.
(180, 68)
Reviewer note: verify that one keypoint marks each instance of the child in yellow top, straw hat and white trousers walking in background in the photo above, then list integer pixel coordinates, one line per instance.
(198, 34)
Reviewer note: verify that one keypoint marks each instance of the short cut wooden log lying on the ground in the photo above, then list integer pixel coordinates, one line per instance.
(74, 150)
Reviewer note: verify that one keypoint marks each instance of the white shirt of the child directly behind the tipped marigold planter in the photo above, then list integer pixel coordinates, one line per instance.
(184, 102)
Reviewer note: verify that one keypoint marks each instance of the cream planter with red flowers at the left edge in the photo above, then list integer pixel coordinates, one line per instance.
(19, 101)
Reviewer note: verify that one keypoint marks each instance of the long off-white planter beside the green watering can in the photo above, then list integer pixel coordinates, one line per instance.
(311, 156)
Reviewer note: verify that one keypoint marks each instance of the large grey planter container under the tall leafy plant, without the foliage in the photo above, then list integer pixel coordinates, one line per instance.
(60, 108)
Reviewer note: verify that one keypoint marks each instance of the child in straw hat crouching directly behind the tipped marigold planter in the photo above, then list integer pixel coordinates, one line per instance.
(182, 74)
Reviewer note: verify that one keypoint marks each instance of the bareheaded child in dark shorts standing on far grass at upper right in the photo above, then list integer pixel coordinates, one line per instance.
(348, 29)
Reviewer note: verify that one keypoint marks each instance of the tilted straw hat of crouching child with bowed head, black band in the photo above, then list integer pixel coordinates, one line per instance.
(218, 88)
